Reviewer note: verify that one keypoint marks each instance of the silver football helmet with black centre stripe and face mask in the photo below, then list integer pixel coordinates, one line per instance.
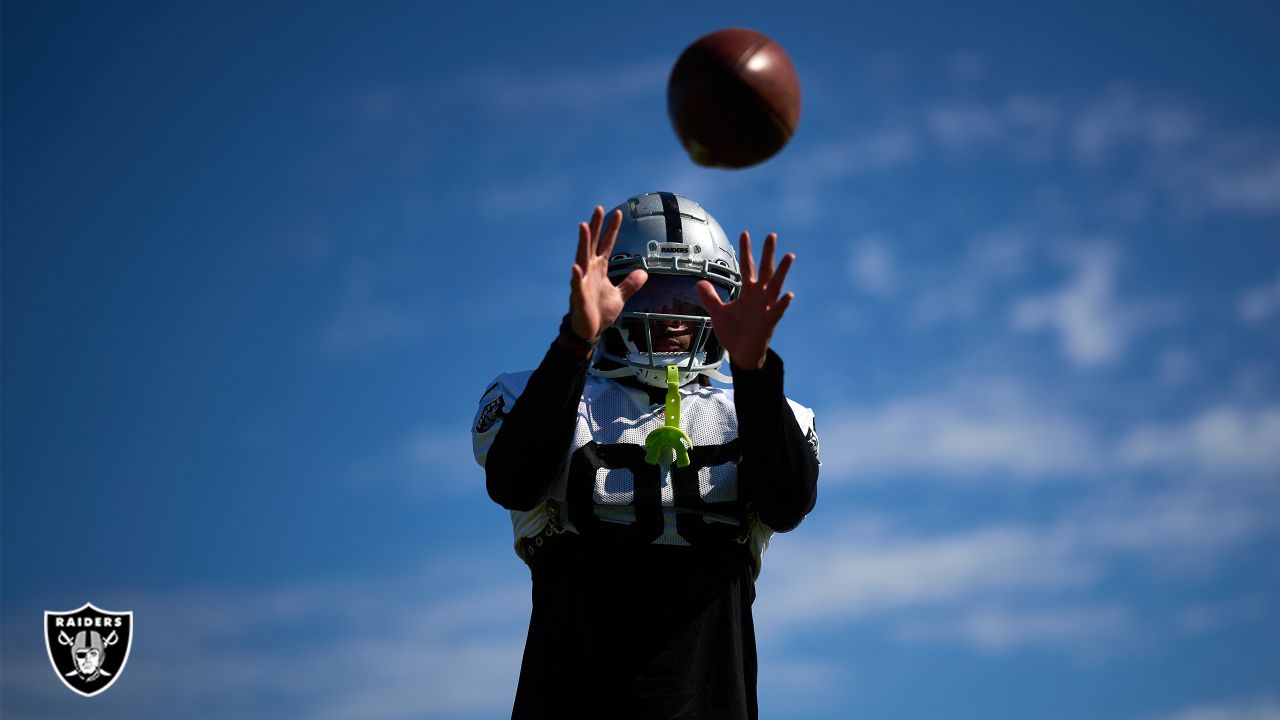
(665, 323)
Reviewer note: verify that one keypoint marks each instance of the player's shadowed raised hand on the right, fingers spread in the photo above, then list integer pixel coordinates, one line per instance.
(746, 325)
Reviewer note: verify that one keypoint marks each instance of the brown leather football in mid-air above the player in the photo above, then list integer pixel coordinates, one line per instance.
(734, 99)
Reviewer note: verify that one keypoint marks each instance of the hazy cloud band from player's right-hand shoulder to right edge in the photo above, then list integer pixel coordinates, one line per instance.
(1002, 430)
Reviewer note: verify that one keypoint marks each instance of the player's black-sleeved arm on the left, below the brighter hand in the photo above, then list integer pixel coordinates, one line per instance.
(529, 450)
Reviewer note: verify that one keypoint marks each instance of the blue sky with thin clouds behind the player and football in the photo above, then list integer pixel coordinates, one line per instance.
(259, 262)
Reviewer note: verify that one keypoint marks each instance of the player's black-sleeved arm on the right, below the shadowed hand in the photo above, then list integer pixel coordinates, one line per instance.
(779, 475)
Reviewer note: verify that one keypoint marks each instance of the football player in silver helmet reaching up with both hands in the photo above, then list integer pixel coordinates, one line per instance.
(642, 495)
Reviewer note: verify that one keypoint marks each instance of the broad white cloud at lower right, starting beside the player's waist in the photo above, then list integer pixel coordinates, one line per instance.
(1007, 586)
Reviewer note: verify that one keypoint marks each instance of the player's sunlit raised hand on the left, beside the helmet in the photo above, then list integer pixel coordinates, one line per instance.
(595, 302)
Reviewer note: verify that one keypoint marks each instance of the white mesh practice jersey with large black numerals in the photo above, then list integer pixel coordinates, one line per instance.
(606, 487)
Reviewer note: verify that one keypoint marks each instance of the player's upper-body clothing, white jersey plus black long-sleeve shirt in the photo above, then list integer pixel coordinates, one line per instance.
(643, 610)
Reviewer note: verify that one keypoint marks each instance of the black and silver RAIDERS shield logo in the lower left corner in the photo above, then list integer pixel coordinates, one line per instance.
(89, 648)
